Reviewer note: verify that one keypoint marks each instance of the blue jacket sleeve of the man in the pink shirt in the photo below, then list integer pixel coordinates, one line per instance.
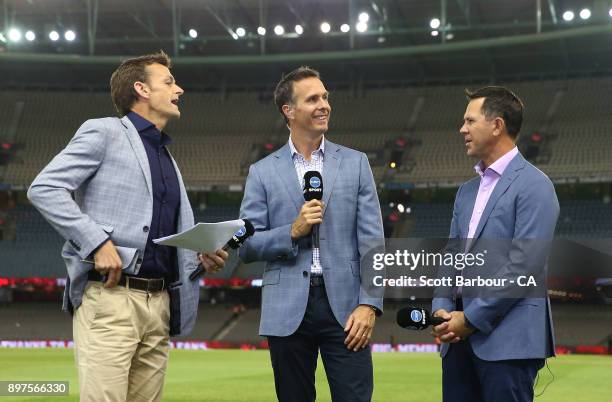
(537, 210)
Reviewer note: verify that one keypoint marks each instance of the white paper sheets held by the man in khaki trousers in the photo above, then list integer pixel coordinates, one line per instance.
(203, 237)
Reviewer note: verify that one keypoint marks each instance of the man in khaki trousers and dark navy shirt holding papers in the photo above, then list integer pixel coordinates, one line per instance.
(128, 295)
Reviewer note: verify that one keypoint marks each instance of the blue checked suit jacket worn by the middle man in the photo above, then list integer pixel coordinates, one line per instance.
(352, 224)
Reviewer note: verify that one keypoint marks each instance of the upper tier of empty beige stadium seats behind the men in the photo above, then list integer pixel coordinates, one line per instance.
(214, 140)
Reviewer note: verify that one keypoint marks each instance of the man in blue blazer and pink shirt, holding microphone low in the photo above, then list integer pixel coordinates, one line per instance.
(493, 347)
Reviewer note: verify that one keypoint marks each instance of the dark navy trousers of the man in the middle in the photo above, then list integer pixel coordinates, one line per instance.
(294, 358)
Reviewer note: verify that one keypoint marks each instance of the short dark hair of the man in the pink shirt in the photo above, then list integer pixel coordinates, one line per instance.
(501, 102)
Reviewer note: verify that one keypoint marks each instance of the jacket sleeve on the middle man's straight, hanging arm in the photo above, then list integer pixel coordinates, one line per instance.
(370, 233)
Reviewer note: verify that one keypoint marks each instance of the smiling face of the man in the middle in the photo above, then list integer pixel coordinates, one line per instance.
(309, 111)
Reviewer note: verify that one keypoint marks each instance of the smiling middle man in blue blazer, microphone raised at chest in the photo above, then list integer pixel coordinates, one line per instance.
(313, 297)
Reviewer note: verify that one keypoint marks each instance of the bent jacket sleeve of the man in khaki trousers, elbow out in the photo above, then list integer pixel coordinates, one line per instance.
(51, 191)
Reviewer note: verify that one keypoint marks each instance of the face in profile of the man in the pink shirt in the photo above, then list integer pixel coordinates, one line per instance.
(479, 133)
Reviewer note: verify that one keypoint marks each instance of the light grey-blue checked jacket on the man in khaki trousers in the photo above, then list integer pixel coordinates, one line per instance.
(105, 168)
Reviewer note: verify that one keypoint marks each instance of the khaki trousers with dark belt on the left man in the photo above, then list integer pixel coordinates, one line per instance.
(121, 343)
